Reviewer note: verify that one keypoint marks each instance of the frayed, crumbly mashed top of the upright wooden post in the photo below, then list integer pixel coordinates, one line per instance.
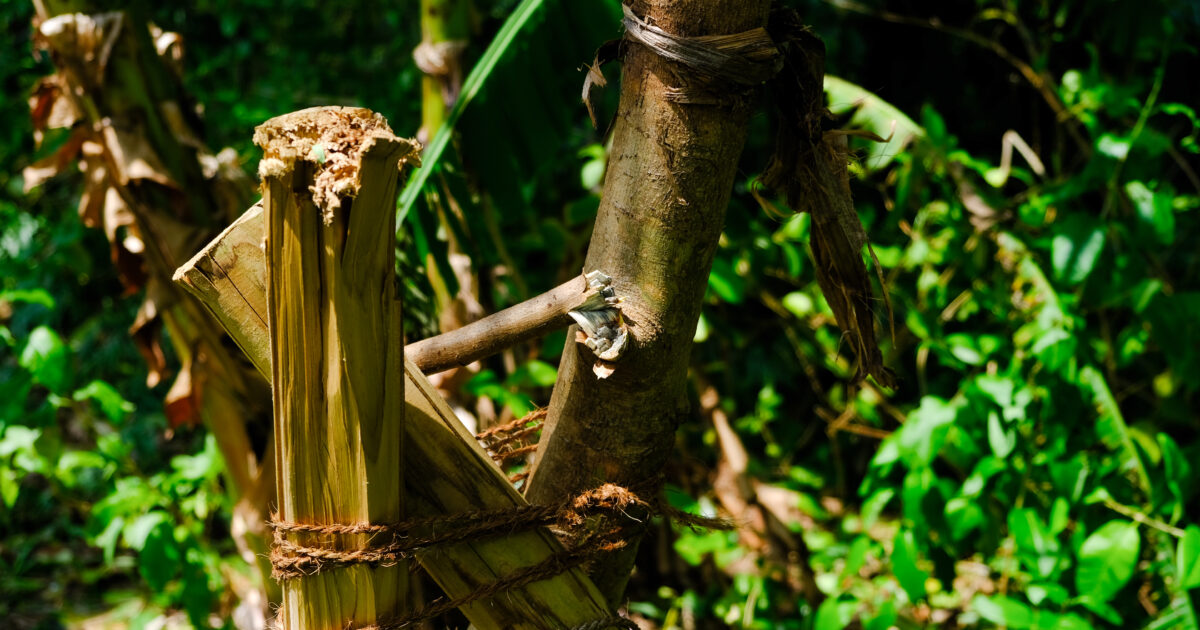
(335, 140)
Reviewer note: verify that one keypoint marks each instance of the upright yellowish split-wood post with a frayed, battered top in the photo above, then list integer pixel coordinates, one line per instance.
(337, 358)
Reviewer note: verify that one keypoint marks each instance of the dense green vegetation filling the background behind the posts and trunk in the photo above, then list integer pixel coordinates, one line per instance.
(1034, 470)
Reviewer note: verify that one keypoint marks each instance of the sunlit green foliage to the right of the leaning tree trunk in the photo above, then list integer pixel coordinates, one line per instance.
(1041, 431)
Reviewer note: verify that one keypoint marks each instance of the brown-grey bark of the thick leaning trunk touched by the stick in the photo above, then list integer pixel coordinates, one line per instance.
(670, 177)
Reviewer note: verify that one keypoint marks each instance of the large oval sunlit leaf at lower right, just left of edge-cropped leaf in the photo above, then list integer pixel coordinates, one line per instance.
(1107, 560)
